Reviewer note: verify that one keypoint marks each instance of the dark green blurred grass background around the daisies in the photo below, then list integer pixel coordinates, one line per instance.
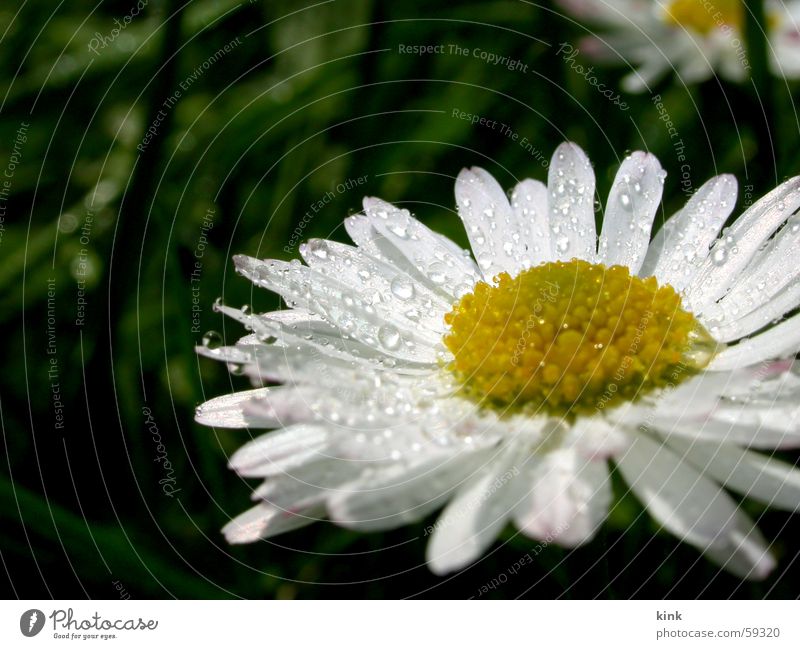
(311, 96)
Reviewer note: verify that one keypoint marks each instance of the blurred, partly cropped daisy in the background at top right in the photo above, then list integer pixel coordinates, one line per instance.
(694, 38)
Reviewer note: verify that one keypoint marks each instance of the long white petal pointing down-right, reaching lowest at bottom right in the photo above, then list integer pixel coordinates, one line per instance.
(694, 508)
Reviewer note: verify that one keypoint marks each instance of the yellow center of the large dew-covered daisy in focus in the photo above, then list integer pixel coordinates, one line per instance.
(568, 338)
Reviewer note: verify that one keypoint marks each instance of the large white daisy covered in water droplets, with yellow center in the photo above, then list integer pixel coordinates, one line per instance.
(413, 378)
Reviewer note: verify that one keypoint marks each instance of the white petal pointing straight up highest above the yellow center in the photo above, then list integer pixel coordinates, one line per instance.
(570, 186)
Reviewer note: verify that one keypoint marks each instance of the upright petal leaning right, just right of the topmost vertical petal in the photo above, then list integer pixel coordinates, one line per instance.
(631, 208)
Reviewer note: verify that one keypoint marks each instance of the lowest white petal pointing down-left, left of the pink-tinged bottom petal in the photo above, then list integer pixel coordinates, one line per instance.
(472, 520)
